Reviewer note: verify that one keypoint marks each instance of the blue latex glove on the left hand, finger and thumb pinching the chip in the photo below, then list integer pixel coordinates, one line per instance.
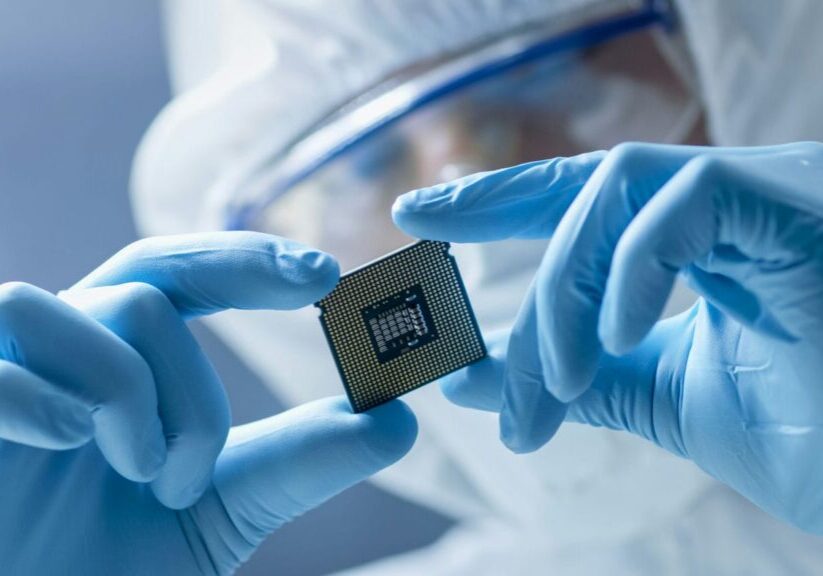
(112, 360)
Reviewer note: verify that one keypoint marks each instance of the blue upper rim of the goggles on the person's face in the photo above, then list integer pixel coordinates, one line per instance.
(654, 13)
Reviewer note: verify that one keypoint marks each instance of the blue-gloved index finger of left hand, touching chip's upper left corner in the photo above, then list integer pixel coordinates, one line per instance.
(209, 272)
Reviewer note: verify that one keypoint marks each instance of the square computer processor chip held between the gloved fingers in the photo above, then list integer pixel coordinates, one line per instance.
(400, 322)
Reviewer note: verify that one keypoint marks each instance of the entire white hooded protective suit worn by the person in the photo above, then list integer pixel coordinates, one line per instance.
(590, 502)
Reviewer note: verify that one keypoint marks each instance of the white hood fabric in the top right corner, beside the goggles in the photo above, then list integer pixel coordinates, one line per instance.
(759, 63)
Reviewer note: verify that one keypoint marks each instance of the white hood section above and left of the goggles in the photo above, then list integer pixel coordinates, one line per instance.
(315, 56)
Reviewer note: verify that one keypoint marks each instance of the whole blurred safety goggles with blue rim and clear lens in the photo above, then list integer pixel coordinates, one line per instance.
(556, 89)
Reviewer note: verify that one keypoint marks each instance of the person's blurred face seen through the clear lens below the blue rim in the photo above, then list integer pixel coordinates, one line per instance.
(560, 106)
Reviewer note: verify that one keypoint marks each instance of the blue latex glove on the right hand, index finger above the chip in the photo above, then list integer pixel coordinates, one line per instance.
(734, 383)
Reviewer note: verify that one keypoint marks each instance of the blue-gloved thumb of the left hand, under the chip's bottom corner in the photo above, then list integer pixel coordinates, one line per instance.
(274, 470)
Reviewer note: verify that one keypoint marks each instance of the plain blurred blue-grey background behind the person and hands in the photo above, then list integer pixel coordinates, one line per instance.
(79, 83)
